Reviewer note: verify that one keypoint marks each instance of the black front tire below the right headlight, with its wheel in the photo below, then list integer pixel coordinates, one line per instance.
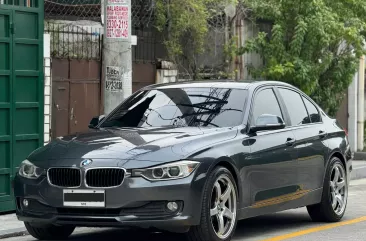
(208, 230)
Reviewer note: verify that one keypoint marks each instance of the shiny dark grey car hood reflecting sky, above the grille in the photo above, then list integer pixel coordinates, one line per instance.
(129, 147)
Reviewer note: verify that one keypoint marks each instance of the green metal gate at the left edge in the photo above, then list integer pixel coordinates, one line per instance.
(21, 88)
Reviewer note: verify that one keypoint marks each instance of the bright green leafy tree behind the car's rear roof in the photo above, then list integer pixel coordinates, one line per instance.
(313, 44)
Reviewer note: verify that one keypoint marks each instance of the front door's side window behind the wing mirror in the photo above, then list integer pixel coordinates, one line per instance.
(266, 103)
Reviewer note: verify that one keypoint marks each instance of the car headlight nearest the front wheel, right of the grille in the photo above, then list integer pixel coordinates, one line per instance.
(169, 171)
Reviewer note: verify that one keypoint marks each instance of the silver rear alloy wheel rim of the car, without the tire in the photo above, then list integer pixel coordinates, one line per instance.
(338, 189)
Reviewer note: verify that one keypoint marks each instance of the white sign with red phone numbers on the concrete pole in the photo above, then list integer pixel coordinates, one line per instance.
(117, 21)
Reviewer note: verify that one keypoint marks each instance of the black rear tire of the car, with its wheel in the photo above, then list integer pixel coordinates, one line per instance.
(325, 210)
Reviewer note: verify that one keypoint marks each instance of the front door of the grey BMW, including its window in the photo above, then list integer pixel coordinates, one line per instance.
(272, 170)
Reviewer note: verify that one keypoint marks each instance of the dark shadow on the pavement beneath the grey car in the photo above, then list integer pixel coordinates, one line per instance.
(258, 228)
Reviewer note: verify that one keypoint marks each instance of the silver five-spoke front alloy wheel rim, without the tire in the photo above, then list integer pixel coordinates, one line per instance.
(223, 207)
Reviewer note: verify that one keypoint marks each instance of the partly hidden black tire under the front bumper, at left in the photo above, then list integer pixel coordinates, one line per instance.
(50, 232)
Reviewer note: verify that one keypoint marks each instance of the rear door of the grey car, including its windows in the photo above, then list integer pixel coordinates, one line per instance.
(310, 135)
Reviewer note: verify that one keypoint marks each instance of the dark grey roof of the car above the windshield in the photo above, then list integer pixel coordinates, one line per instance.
(231, 84)
